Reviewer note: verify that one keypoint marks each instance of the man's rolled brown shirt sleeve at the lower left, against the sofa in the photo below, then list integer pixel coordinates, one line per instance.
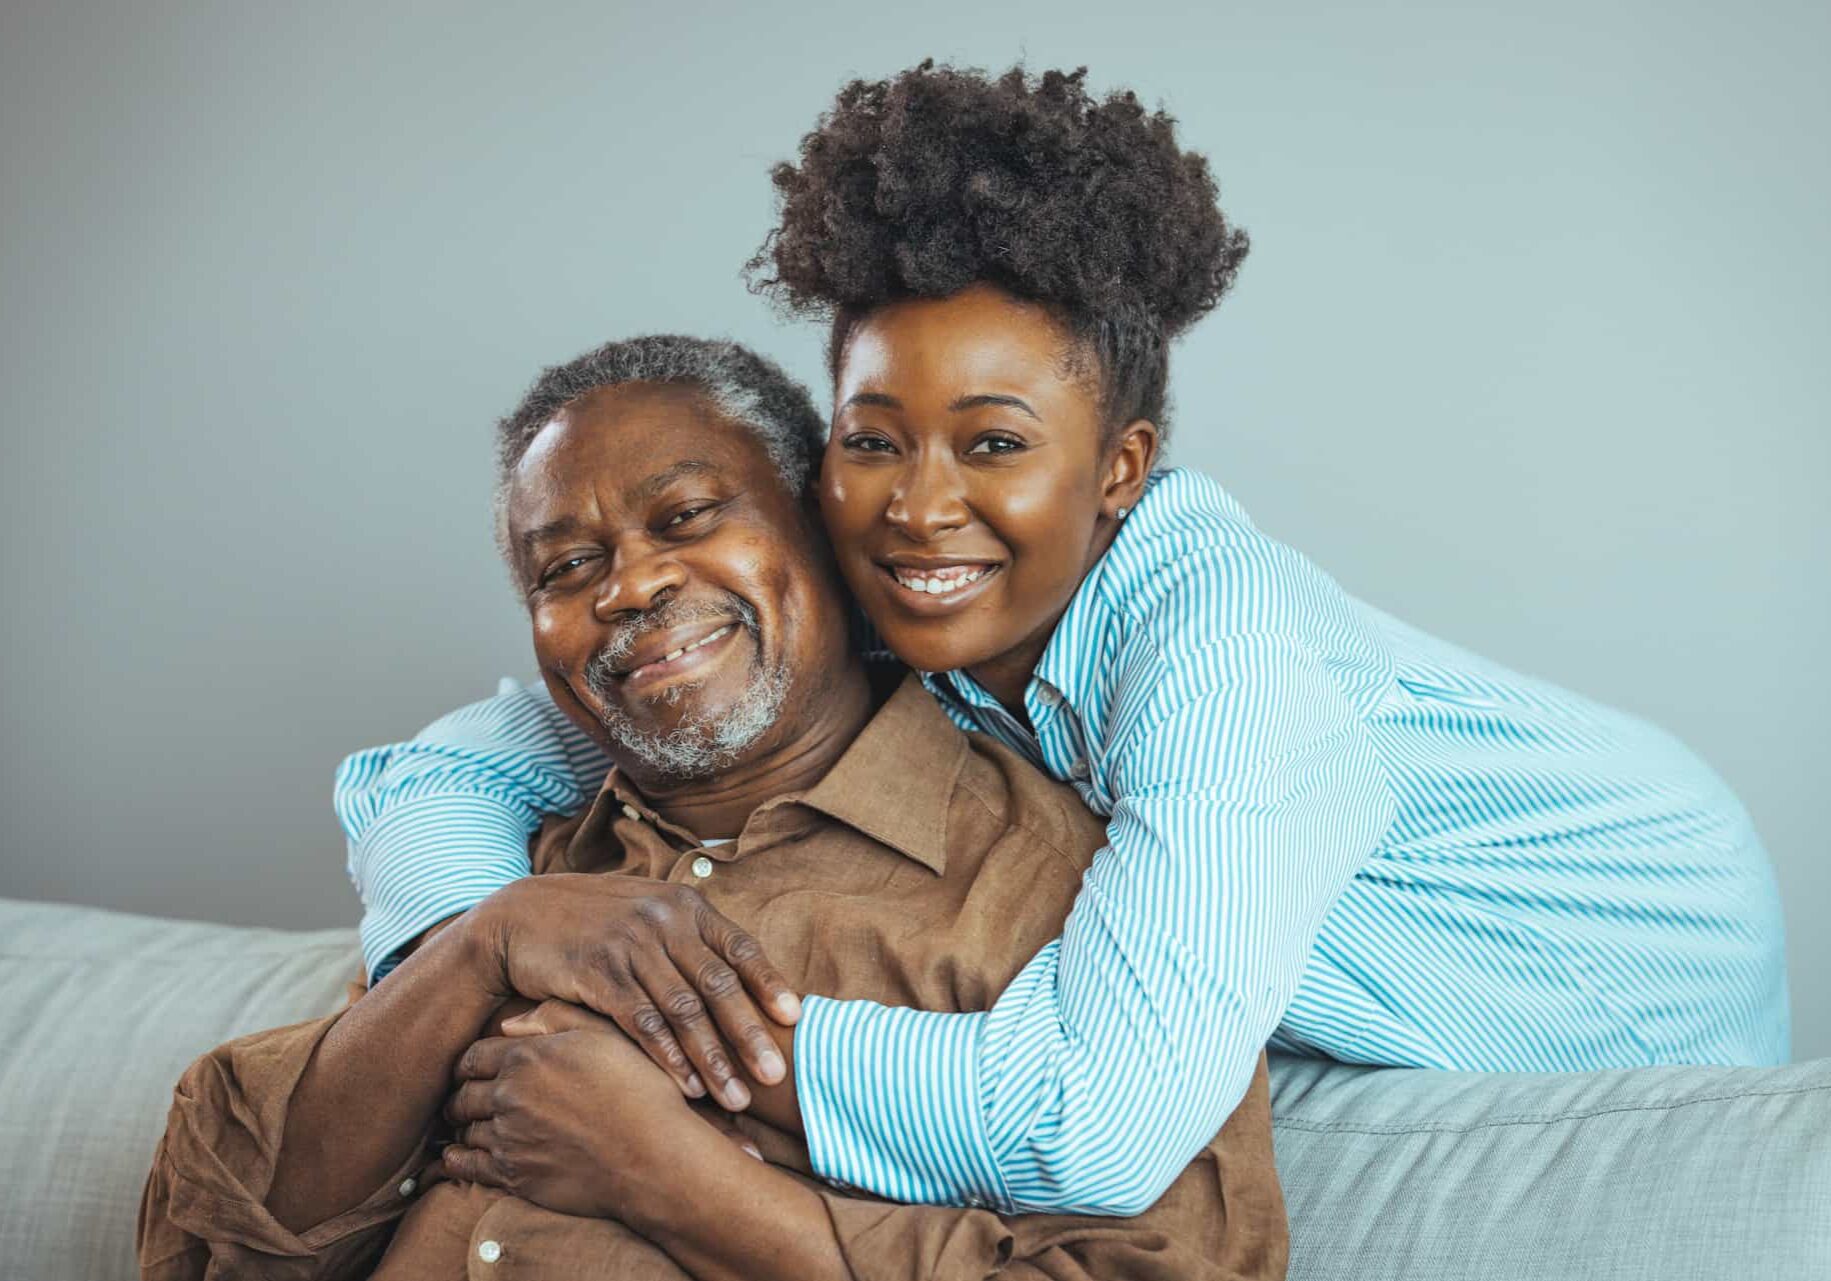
(204, 1209)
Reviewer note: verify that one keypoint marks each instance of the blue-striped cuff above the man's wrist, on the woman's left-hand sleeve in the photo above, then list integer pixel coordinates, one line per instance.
(428, 861)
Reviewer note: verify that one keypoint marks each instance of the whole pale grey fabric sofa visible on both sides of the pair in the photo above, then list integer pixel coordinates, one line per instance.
(1663, 1174)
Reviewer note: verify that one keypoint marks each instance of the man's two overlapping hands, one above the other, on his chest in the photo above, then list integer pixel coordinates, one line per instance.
(581, 1104)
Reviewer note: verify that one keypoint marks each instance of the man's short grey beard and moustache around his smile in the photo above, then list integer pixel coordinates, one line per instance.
(700, 746)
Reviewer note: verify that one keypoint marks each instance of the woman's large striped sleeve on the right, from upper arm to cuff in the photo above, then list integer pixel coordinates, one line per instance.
(1248, 795)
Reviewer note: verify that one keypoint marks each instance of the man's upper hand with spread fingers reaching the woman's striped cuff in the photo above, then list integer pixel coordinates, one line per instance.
(658, 960)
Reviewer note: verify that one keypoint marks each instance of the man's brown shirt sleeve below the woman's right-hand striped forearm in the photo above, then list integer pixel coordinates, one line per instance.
(1220, 1222)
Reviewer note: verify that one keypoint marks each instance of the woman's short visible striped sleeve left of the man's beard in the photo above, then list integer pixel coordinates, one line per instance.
(439, 824)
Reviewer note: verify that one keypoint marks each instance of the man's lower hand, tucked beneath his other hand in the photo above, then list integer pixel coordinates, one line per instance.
(567, 1114)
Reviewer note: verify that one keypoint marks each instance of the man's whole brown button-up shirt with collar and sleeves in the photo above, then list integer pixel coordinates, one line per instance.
(926, 870)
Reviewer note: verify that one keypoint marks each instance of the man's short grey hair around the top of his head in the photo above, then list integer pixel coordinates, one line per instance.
(741, 385)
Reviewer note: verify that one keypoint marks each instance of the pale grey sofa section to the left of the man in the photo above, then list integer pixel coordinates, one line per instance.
(100, 1015)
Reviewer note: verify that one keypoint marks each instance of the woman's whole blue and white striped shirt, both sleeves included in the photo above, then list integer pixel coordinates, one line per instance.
(1327, 830)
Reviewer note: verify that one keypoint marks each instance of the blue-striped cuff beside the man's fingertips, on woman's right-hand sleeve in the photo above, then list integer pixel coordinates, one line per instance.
(891, 1103)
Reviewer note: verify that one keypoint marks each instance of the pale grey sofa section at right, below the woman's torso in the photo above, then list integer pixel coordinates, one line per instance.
(1658, 1174)
